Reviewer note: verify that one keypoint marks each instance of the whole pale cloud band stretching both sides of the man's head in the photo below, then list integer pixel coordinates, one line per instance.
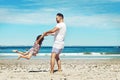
(41, 17)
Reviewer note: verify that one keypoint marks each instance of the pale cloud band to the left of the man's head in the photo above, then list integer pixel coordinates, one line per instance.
(37, 17)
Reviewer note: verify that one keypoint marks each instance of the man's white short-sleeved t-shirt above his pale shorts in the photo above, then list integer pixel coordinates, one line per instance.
(59, 36)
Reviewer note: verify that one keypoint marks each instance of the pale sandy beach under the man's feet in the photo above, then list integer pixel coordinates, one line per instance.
(80, 69)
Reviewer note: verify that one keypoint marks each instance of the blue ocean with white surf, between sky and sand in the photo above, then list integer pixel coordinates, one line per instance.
(69, 52)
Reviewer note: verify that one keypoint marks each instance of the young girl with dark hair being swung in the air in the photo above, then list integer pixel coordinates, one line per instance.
(32, 51)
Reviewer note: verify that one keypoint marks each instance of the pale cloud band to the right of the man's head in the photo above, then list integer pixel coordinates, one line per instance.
(99, 21)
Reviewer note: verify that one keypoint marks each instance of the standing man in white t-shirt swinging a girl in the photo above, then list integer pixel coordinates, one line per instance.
(59, 34)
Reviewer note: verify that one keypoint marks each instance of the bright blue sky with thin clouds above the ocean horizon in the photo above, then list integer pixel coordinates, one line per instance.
(89, 22)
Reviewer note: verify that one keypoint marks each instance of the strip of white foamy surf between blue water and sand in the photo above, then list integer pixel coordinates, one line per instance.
(64, 56)
